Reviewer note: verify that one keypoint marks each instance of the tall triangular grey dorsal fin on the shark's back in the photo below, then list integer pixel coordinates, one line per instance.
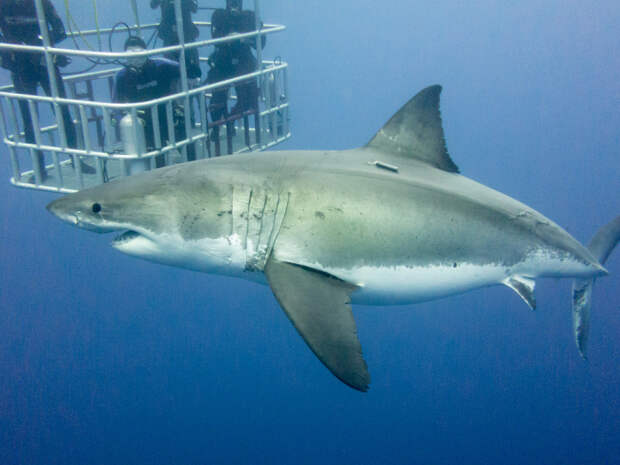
(415, 131)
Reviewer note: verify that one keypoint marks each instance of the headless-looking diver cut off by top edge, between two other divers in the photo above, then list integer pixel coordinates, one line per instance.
(167, 32)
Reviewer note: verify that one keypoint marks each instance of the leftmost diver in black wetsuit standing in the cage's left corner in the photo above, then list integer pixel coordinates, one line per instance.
(19, 25)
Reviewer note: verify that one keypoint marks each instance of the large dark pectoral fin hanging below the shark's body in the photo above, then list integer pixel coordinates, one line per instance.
(319, 306)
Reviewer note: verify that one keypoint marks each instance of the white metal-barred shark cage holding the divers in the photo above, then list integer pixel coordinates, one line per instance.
(109, 146)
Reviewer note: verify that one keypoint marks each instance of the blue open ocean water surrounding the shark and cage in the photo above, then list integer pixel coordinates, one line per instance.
(108, 359)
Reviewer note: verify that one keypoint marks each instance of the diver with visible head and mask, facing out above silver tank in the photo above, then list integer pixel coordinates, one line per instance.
(145, 78)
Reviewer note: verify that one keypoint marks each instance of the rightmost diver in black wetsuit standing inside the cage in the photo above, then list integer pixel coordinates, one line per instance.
(232, 59)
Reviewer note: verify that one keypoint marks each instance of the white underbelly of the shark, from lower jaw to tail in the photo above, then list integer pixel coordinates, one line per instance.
(377, 285)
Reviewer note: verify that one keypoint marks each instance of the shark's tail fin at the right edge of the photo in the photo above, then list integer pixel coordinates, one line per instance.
(601, 247)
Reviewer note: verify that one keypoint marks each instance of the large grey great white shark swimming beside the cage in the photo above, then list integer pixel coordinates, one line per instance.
(392, 222)
